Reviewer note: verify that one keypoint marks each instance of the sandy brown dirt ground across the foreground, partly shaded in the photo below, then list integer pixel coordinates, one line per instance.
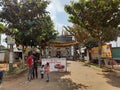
(77, 77)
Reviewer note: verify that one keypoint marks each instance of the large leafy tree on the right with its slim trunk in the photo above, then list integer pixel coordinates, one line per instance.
(99, 17)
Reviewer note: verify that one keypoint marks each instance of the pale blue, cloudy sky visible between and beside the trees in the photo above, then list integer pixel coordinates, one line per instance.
(60, 17)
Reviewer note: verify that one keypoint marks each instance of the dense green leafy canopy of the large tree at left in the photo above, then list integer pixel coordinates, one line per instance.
(28, 20)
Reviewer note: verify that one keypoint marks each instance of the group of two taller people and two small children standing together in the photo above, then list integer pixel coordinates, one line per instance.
(32, 62)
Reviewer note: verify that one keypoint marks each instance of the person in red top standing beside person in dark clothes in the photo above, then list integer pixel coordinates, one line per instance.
(29, 62)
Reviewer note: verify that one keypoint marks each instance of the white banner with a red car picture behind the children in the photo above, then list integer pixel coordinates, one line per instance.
(56, 64)
